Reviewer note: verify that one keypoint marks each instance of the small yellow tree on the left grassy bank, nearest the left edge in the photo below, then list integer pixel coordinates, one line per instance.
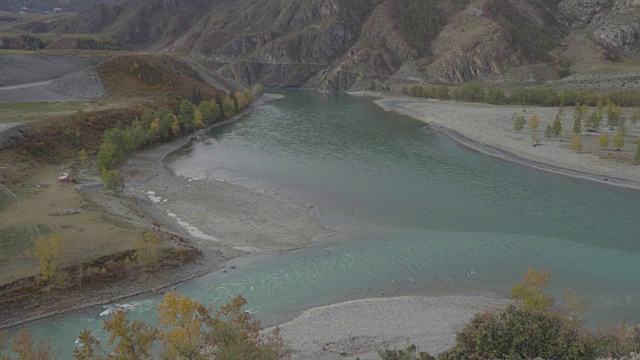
(49, 255)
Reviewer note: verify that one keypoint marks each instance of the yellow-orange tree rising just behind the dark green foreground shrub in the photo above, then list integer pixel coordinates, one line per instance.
(529, 294)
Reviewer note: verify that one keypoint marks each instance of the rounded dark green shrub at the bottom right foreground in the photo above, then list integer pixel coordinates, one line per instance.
(520, 334)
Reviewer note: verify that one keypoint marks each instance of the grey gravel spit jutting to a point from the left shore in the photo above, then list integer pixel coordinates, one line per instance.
(224, 211)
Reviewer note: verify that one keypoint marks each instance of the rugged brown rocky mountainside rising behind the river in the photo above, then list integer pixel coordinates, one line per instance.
(349, 44)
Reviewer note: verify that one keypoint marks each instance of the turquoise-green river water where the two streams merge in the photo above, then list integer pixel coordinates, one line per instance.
(417, 213)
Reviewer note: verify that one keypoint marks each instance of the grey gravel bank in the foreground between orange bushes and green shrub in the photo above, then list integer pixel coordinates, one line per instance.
(359, 328)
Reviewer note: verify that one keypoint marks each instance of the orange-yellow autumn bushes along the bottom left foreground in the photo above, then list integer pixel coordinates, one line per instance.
(188, 330)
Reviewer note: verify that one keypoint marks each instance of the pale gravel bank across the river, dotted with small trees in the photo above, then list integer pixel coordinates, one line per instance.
(489, 129)
